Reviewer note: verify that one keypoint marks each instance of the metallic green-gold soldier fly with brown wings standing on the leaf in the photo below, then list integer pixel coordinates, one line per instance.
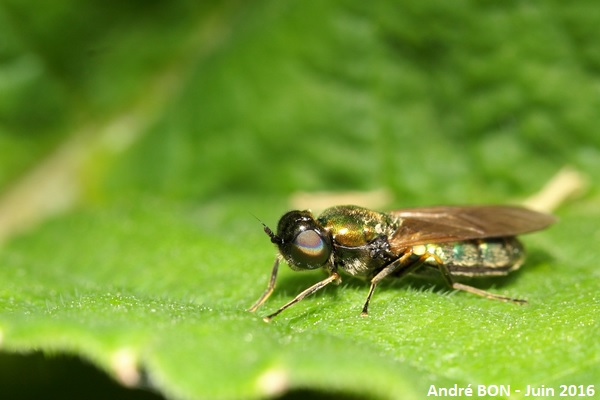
(474, 241)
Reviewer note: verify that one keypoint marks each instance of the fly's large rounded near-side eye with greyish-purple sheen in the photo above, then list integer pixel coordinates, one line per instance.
(309, 249)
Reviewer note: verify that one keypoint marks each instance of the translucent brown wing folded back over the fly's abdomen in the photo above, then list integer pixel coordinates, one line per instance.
(454, 223)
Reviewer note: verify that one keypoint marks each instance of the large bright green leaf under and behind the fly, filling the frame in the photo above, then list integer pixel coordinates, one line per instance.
(139, 140)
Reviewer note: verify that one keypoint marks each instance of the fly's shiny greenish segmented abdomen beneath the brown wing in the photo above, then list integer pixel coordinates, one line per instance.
(485, 257)
